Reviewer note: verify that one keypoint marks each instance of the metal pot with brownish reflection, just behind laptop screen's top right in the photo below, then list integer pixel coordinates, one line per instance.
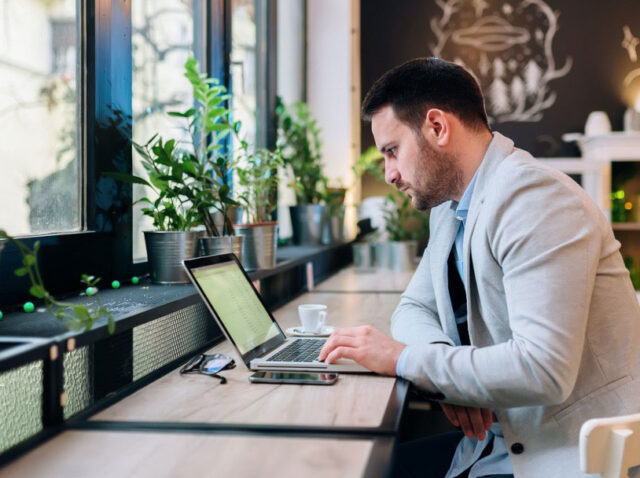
(259, 246)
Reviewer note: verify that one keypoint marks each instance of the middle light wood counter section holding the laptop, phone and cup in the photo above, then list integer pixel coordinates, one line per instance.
(354, 401)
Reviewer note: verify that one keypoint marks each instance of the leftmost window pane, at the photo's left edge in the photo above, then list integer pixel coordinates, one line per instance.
(39, 179)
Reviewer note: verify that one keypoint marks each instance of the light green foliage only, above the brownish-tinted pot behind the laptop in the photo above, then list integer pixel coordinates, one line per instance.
(258, 177)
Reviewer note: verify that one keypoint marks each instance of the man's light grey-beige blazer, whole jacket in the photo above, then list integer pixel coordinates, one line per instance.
(553, 318)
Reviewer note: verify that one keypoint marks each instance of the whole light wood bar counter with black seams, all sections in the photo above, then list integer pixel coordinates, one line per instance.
(192, 425)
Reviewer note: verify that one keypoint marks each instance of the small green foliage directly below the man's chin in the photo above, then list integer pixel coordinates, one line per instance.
(403, 223)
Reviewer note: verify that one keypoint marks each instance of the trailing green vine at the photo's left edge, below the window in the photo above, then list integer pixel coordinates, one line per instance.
(76, 317)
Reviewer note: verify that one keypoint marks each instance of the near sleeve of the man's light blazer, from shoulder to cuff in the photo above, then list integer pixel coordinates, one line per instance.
(547, 239)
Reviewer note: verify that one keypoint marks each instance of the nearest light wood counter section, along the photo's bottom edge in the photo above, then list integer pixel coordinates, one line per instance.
(129, 454)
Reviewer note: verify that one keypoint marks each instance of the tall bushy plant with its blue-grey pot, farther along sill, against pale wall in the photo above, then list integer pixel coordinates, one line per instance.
(299, 140)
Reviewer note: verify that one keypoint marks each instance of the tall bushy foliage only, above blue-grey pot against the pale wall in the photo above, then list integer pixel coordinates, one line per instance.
(299, 139)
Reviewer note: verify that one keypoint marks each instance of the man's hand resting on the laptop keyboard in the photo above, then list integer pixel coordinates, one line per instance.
(366, 345)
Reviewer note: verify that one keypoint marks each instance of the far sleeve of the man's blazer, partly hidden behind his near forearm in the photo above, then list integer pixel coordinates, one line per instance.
(415, 320)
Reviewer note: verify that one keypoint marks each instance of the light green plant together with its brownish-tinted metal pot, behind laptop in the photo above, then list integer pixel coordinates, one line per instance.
(258, 178)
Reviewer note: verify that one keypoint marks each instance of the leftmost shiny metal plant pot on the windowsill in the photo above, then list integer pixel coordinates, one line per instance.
(166, 250)
